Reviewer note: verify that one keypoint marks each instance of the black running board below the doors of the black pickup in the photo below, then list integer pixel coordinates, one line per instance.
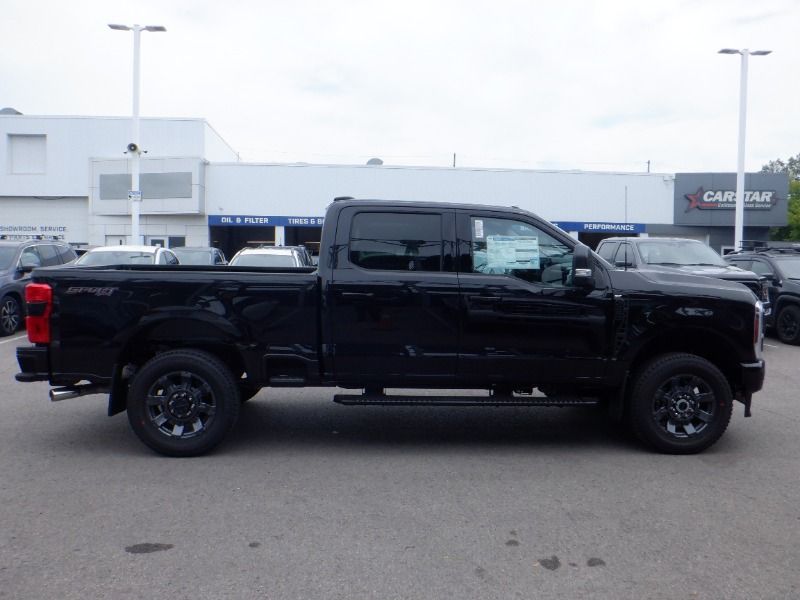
(381, 399)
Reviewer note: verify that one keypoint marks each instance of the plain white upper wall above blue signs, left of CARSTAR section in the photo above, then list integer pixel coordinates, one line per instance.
(269, 189)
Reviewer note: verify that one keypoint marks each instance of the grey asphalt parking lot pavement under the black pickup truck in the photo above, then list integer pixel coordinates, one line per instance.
(310, 499)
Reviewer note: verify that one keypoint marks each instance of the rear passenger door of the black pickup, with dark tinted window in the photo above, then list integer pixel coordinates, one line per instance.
(393, 298)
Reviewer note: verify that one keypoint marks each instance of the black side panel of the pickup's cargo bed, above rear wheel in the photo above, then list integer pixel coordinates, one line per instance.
(106, 312)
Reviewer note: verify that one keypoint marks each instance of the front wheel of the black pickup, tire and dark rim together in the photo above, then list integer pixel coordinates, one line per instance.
(680, 404)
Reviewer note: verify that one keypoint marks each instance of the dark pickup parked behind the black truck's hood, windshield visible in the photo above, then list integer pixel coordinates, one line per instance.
(679, 255)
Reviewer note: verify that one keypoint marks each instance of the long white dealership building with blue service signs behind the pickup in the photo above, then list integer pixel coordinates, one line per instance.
(70, 176)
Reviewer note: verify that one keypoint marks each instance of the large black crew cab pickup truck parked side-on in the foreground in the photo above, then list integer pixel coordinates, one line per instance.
(406, 295)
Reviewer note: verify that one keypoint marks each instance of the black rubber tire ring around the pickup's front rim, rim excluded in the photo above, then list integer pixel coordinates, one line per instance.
(652, 376)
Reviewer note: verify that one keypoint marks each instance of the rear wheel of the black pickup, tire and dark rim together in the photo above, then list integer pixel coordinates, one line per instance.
(183, 403)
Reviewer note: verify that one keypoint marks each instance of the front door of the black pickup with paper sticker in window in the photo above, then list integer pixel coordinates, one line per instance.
(522, 318)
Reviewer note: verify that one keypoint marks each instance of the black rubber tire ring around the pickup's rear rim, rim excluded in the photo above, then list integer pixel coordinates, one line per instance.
(212, 371)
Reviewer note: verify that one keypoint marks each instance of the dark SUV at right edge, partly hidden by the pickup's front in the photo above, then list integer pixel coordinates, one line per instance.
(781, 268)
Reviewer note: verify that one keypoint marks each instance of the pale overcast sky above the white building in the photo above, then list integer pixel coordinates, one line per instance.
(602, 86)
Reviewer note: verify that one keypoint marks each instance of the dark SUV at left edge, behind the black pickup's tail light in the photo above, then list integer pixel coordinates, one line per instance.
(17, 260)
